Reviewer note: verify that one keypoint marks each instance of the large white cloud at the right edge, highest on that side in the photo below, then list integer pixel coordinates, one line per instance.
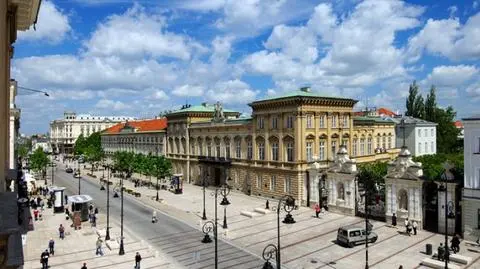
(447, 37)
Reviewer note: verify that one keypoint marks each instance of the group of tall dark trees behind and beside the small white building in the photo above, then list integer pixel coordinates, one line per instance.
(427, 109)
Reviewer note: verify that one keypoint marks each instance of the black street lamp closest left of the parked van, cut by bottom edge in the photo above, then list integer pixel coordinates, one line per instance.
(287, 202)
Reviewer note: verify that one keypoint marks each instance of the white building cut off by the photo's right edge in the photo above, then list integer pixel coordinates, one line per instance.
(471, 190)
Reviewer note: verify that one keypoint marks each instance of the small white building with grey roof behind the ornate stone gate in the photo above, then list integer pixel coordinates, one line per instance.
(420, 135)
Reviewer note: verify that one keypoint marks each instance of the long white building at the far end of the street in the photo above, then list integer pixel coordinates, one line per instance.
(64, 132)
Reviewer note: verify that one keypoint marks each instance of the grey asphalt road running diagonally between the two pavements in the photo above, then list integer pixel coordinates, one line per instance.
(175, 239)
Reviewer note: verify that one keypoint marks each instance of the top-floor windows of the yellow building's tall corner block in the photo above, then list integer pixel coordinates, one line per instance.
(343, 121)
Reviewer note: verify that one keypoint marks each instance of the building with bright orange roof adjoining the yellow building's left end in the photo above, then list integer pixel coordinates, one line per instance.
(147, 137)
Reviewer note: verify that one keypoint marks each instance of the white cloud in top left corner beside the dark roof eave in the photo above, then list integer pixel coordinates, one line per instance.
(53, 25)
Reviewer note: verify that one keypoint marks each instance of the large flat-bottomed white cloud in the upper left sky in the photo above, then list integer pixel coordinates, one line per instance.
(137, 33)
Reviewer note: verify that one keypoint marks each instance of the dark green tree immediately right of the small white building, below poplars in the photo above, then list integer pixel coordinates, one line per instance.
(447, 133)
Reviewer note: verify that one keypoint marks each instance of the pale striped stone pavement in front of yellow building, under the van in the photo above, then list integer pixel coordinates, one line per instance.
(310, 242)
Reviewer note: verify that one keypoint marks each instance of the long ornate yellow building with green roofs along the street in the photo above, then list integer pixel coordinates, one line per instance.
(268, 153)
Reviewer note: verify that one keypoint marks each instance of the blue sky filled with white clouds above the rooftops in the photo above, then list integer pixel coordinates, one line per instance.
(140, 58)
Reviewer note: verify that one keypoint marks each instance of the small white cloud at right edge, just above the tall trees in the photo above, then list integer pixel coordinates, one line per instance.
(451, 76)
